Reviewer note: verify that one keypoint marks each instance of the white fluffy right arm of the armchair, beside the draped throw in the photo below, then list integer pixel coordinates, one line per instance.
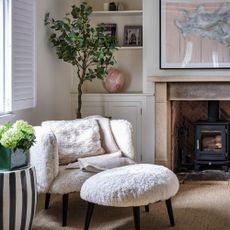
(122, 132)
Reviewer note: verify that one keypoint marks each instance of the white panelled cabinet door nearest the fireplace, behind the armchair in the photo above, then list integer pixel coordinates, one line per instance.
(130, 111)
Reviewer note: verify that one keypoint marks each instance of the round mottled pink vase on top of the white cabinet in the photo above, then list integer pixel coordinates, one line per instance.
(114, 82)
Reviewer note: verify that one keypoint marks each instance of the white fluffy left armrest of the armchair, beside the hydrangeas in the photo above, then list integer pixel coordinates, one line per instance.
(44, 156)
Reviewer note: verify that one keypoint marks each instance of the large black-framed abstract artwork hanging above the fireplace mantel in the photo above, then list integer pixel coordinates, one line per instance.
(194, 34)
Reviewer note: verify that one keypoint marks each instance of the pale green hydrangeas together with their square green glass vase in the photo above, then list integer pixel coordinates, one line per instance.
(15, 142)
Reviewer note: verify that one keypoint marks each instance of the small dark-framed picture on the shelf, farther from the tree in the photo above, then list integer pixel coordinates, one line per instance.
(133, 35)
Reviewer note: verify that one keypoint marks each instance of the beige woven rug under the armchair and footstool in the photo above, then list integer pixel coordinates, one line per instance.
(196, 207)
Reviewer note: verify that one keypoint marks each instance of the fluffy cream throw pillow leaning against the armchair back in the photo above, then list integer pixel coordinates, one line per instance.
(76, 138)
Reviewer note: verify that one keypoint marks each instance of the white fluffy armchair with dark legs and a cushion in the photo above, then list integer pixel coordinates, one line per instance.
(55, 142)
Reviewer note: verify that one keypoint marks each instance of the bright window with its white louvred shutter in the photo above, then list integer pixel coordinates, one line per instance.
(17, 58)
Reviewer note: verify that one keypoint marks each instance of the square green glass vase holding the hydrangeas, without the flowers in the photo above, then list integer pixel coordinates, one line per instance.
(11, 159)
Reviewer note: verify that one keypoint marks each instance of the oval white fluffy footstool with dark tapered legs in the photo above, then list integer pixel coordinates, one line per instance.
(130, 186)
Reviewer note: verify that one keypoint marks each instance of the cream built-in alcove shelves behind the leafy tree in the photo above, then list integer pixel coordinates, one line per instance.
(129, 58)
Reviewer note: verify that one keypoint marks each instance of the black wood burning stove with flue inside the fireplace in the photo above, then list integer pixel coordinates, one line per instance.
(212, 139)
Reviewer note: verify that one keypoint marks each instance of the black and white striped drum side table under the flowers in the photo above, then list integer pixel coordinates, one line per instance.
(18, 199)
